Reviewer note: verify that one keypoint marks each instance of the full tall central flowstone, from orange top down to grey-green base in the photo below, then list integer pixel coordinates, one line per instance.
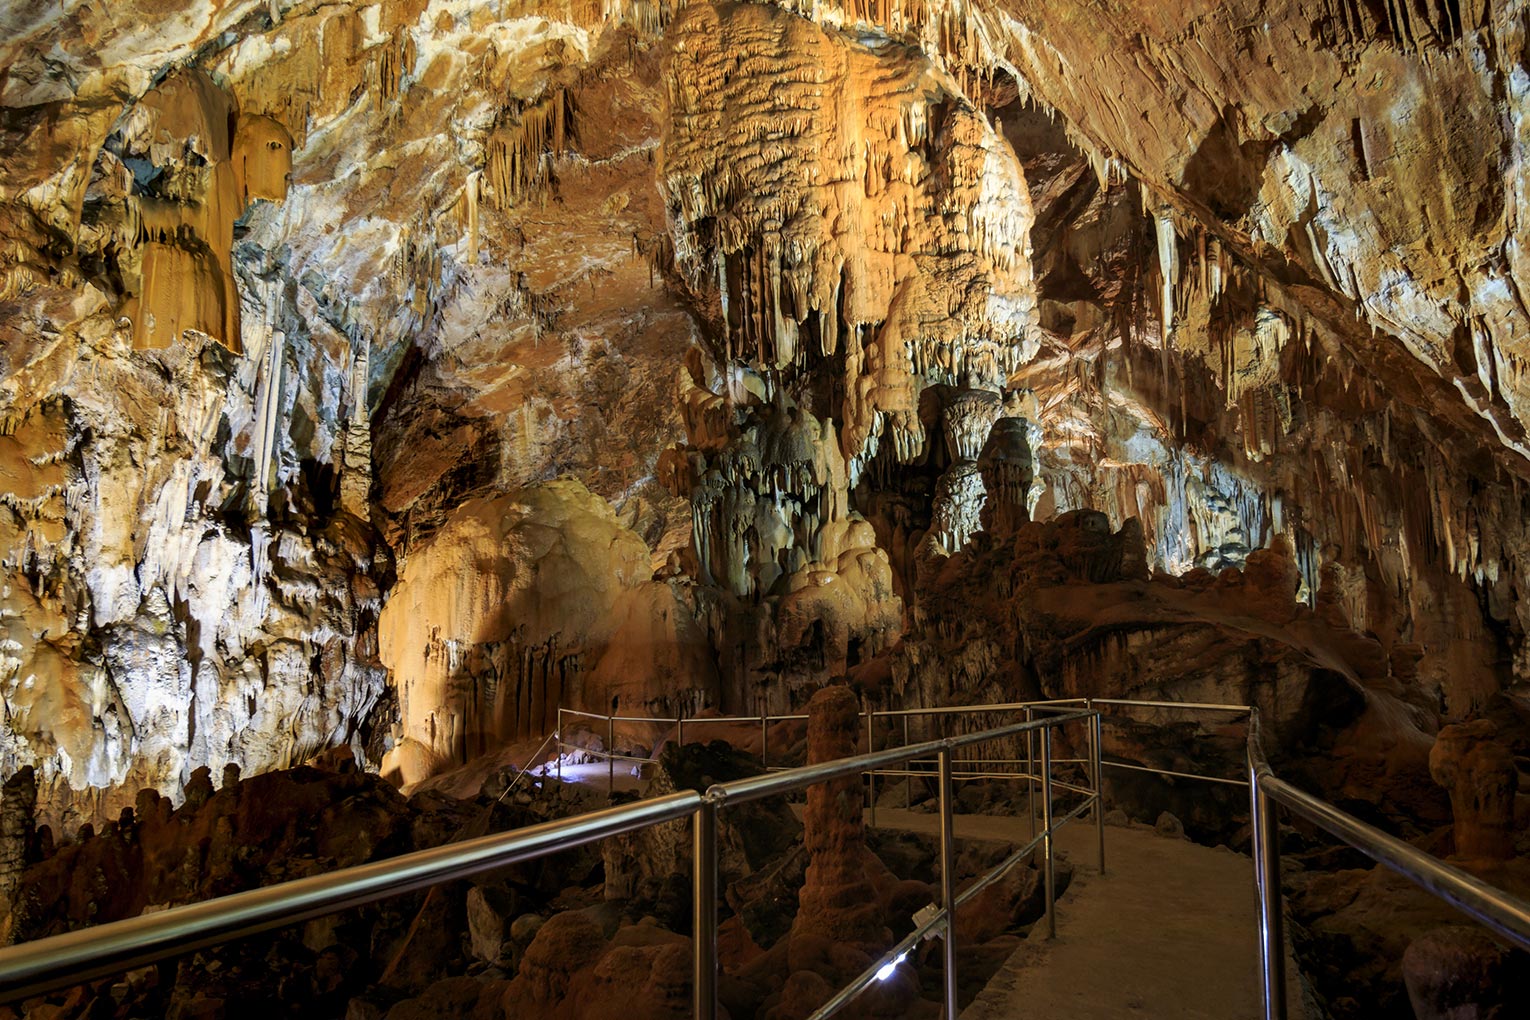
(862, 249)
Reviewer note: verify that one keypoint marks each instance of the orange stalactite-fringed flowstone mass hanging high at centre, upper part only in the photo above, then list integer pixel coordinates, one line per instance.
(884, 239)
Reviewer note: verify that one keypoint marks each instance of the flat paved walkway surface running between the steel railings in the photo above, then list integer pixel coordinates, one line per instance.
(1168, 932)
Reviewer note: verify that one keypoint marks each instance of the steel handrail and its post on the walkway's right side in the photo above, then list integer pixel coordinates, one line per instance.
(1503, 912)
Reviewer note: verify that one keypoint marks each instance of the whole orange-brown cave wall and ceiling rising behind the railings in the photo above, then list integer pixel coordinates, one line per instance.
(383, 377)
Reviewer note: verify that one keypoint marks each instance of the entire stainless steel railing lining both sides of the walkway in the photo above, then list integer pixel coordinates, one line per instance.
(80, 957)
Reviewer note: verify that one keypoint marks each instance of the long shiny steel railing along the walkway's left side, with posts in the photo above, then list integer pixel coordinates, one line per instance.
(80, 957)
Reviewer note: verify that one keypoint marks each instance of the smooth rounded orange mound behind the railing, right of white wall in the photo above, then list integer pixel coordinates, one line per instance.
(526, 603)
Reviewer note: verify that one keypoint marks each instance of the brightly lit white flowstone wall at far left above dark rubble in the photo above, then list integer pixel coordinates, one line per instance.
(155, 620)
